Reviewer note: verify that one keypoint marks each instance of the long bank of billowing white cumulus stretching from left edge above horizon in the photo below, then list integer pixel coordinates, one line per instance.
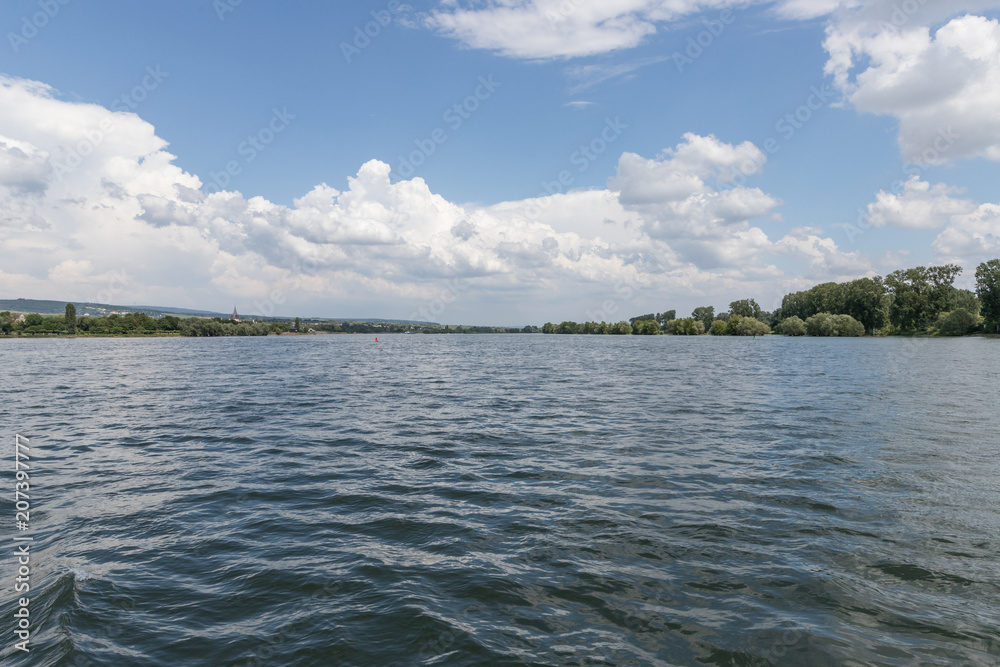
(93, 207)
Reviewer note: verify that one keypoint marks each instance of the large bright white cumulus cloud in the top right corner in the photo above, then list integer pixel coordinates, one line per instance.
(943, 84)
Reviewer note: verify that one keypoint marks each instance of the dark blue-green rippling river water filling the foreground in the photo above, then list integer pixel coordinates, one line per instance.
(506, 500)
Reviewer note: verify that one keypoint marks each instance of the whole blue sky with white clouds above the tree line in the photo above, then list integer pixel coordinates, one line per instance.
(321, 212)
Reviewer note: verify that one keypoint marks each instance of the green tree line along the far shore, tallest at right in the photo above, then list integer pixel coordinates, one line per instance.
(921, 300)
